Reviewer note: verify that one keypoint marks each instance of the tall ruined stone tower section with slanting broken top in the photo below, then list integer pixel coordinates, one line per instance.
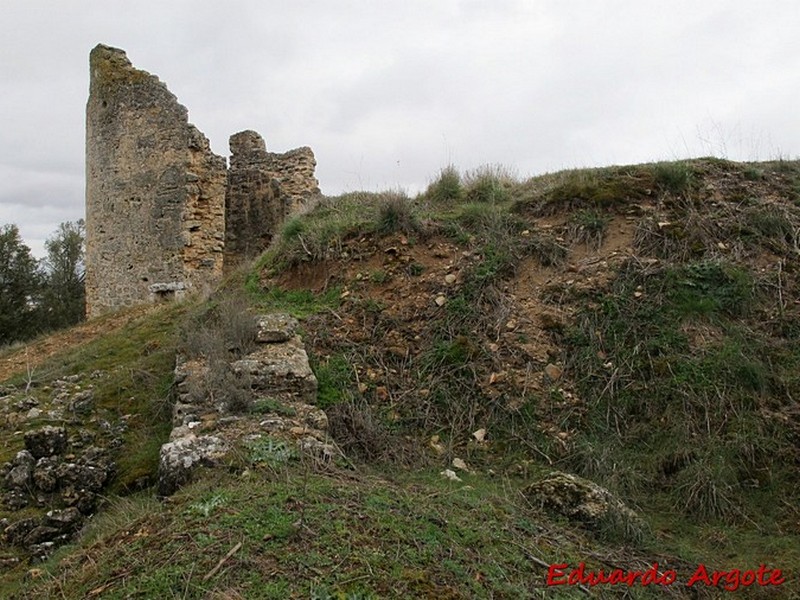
(155, 193)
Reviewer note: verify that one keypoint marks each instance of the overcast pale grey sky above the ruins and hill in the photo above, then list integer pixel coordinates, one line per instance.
(387, 92)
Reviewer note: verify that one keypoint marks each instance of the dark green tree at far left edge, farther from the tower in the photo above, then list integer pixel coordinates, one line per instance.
(20, 284)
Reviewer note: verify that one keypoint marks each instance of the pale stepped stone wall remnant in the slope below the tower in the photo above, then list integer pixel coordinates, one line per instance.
(281, 389)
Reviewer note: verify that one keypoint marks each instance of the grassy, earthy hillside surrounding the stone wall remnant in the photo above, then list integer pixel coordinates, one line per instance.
(634, 326)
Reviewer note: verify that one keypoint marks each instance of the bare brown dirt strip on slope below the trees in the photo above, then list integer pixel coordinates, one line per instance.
(20, 358)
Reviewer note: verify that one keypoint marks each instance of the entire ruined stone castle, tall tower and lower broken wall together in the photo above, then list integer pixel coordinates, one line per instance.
(164, 214)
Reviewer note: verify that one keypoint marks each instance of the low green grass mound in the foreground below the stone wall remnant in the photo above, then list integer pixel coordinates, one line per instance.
(304, 535)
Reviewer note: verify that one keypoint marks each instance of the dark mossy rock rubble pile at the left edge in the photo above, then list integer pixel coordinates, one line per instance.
(63, 469)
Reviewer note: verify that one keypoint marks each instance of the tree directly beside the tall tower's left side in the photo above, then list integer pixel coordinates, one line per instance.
(63, 298)
